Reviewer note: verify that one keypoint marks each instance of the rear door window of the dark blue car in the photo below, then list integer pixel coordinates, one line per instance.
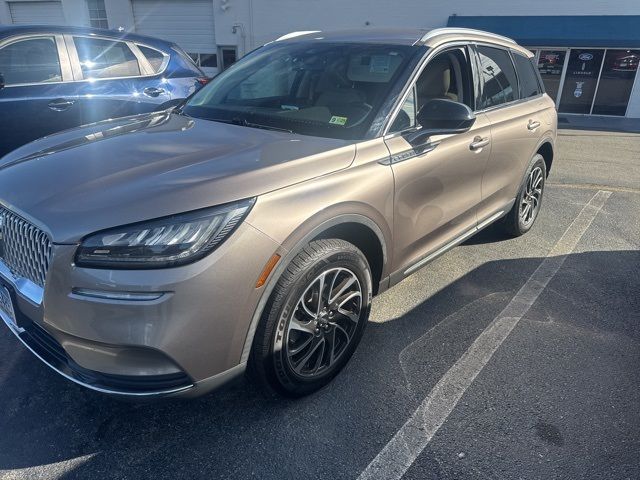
(100, 58)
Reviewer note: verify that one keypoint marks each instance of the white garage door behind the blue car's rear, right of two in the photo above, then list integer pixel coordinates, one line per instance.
(189, 23)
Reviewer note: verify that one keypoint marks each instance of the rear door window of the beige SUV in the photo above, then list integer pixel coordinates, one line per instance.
(498, 75)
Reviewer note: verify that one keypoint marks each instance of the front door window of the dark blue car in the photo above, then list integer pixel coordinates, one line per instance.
(34, 60)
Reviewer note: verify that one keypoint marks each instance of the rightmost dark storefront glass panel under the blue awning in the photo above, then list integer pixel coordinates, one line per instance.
(616, 81)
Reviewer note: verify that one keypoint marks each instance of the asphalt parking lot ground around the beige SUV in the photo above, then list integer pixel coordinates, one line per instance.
(503, 359)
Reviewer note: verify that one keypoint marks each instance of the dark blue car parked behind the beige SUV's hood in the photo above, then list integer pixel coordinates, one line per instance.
(54, 78)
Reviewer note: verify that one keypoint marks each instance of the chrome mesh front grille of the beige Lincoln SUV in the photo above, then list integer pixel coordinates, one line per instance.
(24, 248)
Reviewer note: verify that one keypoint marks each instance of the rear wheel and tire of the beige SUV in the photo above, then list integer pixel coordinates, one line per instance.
(525, 210)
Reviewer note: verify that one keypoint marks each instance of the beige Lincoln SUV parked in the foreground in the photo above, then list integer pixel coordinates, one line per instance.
(248, 228)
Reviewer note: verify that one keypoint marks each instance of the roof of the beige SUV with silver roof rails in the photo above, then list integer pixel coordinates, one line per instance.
(403, 36)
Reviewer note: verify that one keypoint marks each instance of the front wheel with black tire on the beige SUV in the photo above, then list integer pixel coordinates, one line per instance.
(313, 320)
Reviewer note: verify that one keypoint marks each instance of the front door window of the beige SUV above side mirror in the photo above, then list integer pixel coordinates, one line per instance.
(446, 76)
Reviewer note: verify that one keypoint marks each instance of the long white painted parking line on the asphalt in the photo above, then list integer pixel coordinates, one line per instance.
(402, 450)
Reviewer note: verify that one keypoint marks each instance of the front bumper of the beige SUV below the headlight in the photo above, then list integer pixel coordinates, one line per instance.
(185, 340)
